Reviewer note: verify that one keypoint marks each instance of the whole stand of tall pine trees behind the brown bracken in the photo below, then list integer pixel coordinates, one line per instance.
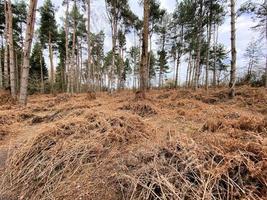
(189, 34)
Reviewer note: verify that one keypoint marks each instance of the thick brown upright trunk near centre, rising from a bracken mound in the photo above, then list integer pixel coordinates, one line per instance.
(144, 57)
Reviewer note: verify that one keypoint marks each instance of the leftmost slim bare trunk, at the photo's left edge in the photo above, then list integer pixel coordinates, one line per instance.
(6, 63)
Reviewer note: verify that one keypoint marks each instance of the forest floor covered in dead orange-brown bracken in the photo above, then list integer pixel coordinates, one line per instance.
(176, 144)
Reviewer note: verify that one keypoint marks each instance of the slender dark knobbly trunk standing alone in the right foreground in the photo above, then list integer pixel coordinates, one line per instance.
(233, 50)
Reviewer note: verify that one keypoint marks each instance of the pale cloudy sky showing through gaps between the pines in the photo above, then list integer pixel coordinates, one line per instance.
(99, 20)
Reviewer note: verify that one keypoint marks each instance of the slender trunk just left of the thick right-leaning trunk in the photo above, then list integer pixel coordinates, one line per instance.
(11, 52)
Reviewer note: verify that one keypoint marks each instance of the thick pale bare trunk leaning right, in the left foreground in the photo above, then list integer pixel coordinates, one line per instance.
(27, 50)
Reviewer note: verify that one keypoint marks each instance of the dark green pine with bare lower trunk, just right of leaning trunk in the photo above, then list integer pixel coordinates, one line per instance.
(48, 33)
